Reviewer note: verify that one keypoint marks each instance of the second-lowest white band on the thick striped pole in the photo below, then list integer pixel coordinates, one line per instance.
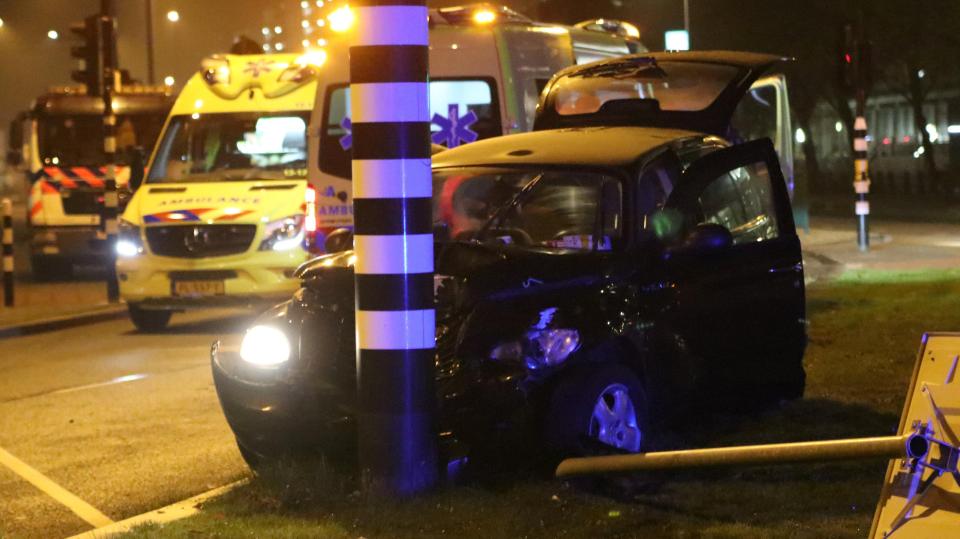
(391, 254)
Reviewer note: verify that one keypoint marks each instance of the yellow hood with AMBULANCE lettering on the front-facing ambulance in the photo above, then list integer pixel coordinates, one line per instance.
(216, 202)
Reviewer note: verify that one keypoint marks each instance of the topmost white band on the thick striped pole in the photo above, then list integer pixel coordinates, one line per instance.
(390, 25)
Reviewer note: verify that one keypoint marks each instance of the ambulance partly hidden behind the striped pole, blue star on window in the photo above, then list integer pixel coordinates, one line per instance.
(487, 68)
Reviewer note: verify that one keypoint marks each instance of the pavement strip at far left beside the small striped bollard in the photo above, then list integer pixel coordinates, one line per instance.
(46, 306)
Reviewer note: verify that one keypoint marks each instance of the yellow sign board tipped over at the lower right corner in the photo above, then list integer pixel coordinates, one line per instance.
(921, 497)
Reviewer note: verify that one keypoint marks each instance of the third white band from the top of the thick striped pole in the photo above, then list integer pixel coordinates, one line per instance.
(392, 178)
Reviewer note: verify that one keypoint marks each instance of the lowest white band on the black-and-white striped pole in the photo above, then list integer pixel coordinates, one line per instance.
(395, 330)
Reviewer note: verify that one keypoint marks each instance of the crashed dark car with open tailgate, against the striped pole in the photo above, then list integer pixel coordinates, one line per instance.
(592, 277)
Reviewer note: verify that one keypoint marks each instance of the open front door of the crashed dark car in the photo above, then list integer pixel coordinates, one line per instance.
(740, 298)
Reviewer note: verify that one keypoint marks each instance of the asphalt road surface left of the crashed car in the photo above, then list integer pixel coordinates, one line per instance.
(126, 422)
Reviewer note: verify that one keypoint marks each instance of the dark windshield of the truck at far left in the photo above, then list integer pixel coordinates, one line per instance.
(77, 139)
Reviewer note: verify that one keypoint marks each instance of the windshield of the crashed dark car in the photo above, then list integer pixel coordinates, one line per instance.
(541, 208)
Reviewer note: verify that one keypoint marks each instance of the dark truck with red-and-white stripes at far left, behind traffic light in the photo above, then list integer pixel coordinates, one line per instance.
(63, 156)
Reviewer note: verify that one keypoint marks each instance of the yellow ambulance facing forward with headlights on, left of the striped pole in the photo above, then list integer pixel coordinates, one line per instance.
(225, 214)
